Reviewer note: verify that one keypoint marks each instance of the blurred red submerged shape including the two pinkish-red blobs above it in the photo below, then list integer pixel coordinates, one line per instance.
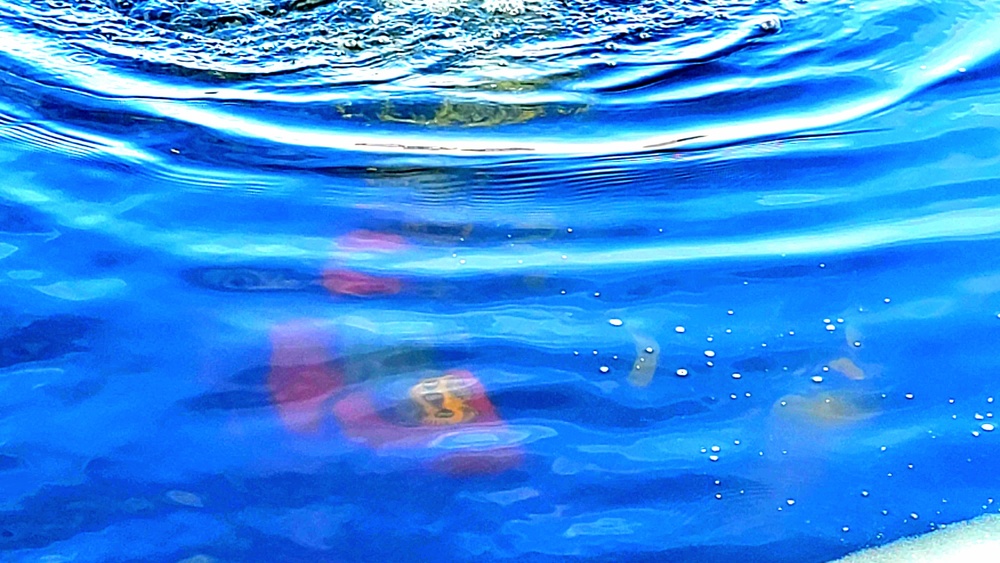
(446, 417)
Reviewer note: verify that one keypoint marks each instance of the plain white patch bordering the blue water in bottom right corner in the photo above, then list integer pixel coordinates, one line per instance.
(973, 541)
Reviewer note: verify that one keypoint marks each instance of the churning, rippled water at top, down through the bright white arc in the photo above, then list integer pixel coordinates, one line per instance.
(699, 75)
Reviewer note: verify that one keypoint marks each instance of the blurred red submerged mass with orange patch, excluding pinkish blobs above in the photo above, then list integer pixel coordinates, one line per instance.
(417, 415)
